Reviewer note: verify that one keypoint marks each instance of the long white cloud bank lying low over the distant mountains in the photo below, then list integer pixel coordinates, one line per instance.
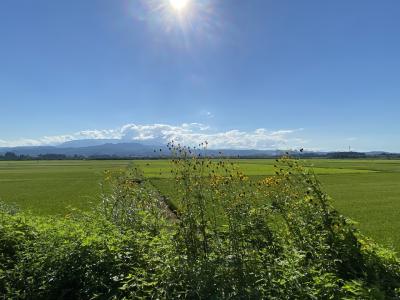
(186, 134)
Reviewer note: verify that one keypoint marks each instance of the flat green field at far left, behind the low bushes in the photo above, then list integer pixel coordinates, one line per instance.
(50, 187)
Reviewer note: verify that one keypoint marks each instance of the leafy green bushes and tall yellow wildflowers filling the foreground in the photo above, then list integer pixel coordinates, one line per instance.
(232, 237)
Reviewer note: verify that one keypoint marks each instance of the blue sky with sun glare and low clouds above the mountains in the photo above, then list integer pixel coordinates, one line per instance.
(314, 74)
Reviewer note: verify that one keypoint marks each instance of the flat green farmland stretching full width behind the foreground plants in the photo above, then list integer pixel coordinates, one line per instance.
(368, 191)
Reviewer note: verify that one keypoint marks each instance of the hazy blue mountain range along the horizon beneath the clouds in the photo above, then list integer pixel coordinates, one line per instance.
(118, 148)
